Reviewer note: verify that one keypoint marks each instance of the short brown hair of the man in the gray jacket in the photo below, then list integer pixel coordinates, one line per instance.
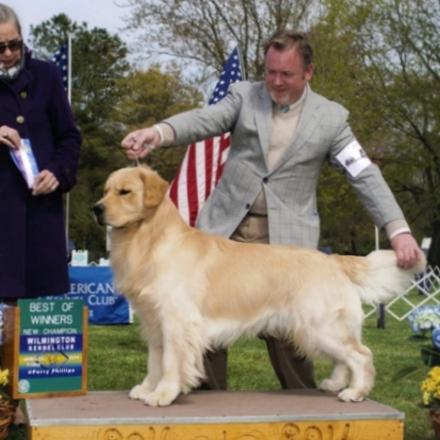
(285, 39)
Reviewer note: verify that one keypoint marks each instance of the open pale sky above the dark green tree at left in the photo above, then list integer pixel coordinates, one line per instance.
(96, 13)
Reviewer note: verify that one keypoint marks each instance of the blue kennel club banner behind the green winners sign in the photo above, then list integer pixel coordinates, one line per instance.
(94, 285)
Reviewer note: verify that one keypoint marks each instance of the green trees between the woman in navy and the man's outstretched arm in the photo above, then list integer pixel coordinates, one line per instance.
(109, 100)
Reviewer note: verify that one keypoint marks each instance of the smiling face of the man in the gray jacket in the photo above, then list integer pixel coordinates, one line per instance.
(286, 77)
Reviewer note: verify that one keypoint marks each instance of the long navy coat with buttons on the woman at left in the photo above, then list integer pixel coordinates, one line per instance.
(33, 255)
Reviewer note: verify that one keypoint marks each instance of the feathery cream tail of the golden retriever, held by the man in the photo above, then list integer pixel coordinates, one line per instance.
(378, 276)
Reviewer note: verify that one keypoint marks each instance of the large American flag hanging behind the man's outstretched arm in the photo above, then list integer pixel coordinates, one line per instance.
(202, 166)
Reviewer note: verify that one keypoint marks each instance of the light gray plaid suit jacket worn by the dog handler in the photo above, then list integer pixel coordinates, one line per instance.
(290, 187)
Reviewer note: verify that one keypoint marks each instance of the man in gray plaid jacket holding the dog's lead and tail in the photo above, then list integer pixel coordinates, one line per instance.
(281, 135)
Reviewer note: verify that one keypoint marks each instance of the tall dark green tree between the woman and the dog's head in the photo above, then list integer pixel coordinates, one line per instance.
(99, 61)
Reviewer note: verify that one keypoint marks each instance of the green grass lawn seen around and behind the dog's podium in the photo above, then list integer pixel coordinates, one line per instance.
(117, 361)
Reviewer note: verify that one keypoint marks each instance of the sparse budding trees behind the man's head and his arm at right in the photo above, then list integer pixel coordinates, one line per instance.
(379, 59)
